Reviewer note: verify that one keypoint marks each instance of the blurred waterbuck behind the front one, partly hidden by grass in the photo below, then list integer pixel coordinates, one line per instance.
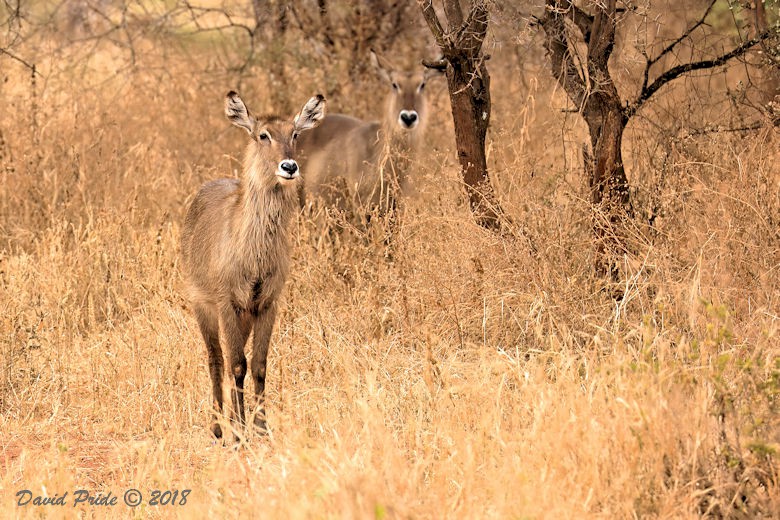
(370, 159)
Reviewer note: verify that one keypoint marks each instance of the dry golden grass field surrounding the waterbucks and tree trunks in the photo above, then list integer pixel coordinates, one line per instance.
(470, 376)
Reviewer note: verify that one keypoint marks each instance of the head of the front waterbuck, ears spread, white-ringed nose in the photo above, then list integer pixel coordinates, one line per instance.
(272, 151)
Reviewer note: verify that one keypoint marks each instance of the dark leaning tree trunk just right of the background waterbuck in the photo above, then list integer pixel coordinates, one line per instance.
(469, 86)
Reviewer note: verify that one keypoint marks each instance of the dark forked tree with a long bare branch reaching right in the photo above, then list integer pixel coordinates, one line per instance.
(593, 92)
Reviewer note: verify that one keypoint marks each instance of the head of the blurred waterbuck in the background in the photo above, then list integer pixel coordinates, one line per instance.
(406, 102)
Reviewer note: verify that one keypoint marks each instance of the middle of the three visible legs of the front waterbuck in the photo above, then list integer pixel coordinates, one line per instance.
(235, 331)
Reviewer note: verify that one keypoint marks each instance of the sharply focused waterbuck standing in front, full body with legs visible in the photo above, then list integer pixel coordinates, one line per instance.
(236, 250)
